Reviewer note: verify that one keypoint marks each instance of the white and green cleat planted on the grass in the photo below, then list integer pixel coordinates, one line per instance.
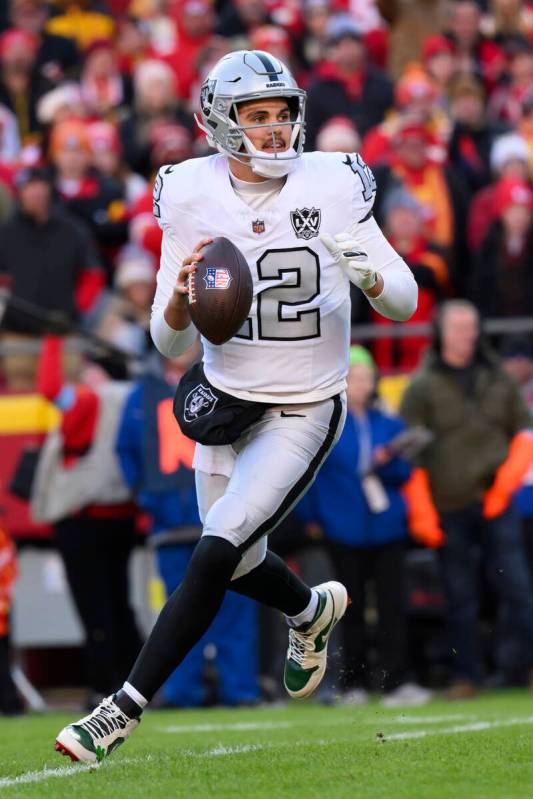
(94, 737)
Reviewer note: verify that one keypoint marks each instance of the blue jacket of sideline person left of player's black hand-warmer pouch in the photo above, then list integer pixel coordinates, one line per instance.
(170, 504)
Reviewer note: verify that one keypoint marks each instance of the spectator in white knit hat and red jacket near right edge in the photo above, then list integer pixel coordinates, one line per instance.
(509, 158)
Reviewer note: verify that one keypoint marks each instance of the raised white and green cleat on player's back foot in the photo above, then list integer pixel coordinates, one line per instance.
(308, 645)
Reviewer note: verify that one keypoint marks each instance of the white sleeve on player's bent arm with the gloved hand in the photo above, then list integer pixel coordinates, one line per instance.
(399, 297)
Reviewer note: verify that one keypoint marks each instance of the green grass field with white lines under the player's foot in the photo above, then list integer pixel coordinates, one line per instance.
(476, 750)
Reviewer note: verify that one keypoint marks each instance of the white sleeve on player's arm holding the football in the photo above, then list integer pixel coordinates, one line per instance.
(168, 341)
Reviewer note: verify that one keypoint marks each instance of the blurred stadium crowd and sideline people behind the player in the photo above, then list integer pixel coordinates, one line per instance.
(437, 96)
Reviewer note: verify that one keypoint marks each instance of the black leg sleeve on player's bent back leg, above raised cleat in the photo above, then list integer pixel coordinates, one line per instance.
(272, 583)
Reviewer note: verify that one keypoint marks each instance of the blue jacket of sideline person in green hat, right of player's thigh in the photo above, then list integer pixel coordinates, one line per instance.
(336, 500)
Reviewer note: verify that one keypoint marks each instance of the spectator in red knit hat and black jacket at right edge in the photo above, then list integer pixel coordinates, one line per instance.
(502, 278)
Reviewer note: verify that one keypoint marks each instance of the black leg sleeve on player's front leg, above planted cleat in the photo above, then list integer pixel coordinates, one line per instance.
(187, 614)
